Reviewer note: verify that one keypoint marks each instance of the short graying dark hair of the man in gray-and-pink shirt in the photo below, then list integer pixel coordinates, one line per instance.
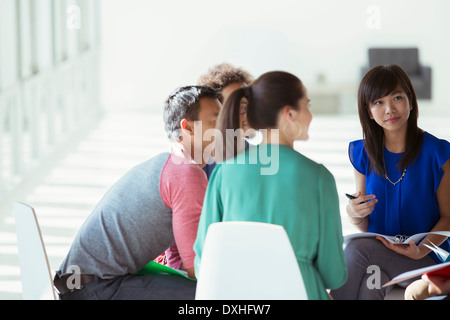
(184, 103)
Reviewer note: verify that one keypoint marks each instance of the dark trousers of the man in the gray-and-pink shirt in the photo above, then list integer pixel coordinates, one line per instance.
(136, 287)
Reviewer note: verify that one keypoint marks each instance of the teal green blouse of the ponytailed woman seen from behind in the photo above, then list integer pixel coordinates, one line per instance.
(275, 184)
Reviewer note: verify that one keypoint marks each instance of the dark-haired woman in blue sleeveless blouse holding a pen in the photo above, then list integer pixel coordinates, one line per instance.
(402, 177)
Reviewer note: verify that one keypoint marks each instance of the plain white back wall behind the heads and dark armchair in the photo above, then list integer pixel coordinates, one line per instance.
(151, 47)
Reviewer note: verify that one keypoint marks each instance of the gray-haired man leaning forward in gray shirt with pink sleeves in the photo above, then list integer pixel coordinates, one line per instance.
(156, 205)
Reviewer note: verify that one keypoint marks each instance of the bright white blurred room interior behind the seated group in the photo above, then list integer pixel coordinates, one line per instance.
(82, 84)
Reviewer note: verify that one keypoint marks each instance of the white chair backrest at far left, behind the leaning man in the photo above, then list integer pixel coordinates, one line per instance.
(37, 283)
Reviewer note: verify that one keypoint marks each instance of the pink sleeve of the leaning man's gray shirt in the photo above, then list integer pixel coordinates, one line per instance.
(183, 186)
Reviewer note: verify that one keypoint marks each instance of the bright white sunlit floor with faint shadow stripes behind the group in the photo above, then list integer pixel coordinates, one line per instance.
(127, 137)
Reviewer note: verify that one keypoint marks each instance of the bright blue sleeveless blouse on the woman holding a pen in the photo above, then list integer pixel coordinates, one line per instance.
(411, 206)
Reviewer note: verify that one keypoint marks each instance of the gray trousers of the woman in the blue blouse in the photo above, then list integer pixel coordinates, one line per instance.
(370, 265)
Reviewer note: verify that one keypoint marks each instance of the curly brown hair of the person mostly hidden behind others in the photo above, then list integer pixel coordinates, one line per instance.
(220, 76)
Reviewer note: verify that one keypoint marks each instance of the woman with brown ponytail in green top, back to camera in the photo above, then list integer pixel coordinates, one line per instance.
(273, 183)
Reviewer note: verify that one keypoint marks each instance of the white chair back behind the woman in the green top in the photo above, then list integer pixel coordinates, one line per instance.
(248, 261)
